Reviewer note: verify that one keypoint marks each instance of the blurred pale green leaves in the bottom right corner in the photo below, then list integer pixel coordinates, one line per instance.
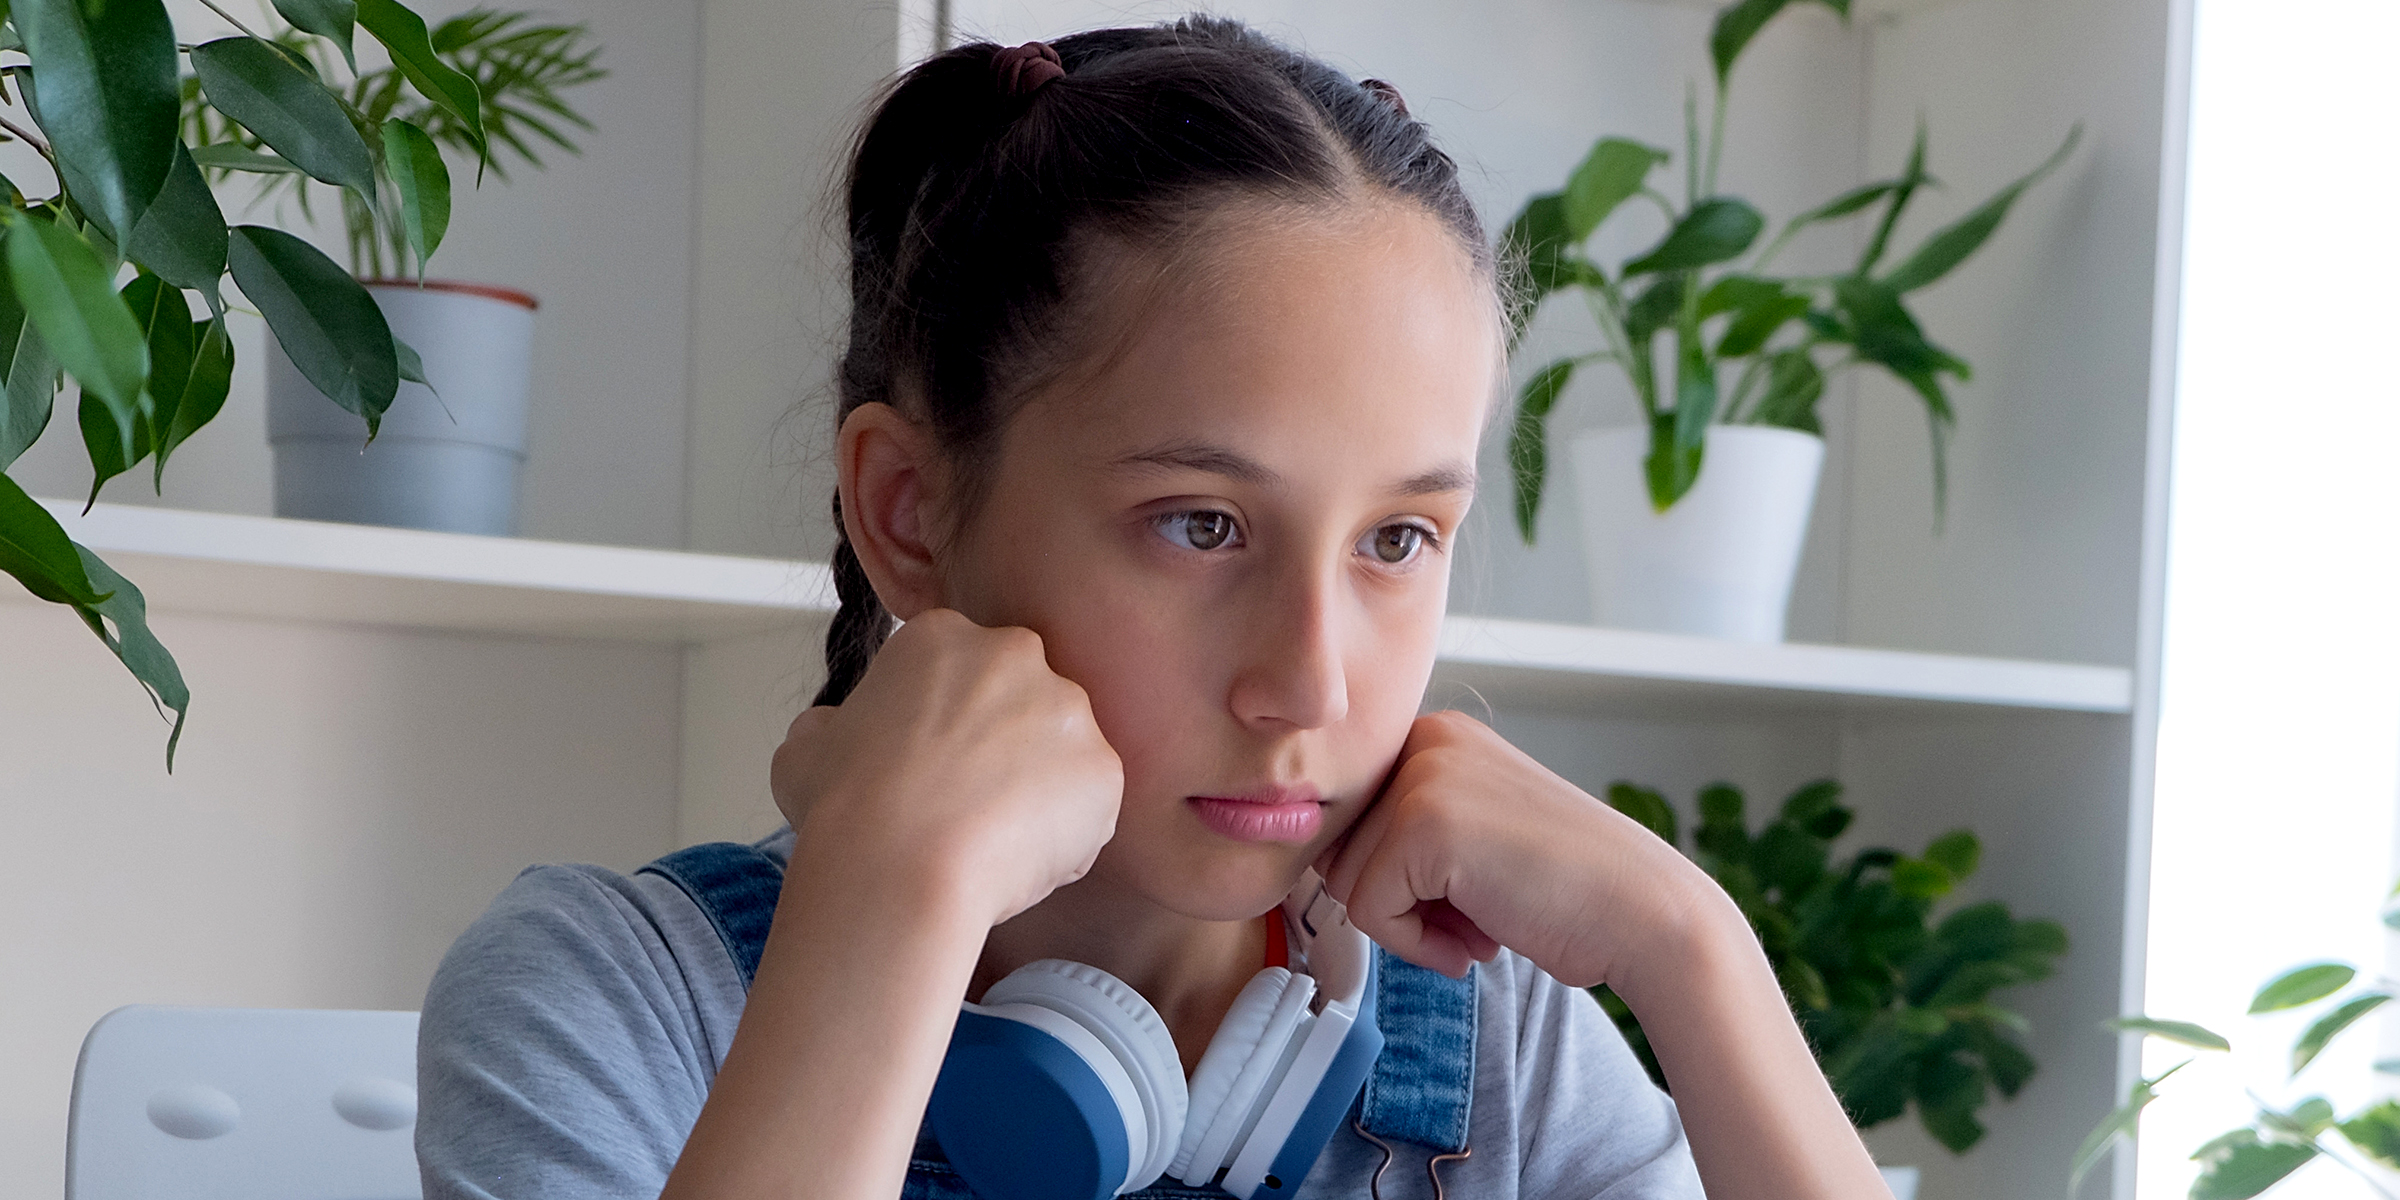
(2264, 1153)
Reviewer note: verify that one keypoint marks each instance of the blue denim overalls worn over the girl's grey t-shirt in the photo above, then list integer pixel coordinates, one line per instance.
(1420, 1091)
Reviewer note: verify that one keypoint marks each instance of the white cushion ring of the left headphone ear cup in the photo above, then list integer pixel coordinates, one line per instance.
(1134, 1036)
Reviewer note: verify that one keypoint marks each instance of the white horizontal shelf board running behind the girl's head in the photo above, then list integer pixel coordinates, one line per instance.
(368, 575)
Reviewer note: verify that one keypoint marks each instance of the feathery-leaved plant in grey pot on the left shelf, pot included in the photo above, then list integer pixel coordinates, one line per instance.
(450, 450)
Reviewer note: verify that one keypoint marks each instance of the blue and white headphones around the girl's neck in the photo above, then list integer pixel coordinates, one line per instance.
(1064, 1084)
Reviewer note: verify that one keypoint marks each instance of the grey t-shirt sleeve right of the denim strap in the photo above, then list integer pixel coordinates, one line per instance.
(1590, 1122)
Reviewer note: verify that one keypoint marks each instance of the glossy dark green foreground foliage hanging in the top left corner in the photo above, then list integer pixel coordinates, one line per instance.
(102, 277)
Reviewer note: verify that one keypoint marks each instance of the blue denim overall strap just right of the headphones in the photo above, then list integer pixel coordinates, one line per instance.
(1427, 1076)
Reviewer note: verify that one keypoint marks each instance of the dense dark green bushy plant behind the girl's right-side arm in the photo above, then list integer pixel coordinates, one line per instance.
(1895, 1002)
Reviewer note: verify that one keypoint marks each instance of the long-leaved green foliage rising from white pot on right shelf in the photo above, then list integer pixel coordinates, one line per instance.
(1770, 332)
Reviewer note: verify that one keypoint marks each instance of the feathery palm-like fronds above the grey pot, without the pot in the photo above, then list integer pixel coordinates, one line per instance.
(520, 68)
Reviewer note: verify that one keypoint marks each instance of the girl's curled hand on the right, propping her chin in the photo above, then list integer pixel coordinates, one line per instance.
(1475, 846)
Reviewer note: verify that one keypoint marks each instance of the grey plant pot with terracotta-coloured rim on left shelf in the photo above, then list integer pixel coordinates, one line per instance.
(445, 464)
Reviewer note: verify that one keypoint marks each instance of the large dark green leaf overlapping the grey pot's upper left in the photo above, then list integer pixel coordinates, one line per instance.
(323, 318)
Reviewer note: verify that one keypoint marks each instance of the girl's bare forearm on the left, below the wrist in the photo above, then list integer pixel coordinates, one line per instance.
(846, 1028)
